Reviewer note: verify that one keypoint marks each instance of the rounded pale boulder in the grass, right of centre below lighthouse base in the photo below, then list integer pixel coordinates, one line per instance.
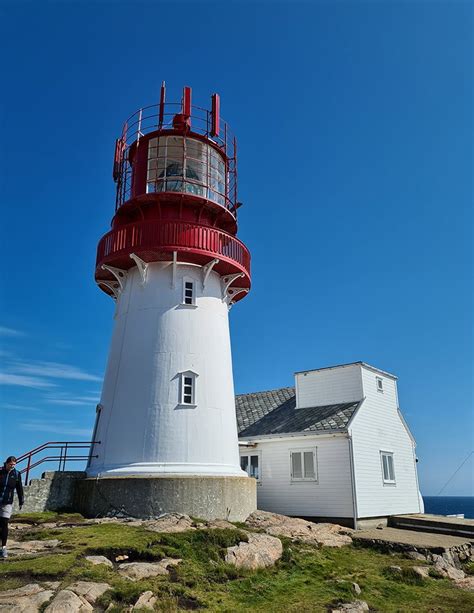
(262, 550)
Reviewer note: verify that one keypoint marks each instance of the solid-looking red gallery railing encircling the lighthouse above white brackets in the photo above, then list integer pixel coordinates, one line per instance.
(174, 236)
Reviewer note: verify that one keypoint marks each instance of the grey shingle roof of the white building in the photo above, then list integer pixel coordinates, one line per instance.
(274, 412)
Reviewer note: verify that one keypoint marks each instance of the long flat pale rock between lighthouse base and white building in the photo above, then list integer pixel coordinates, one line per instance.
(330, 535)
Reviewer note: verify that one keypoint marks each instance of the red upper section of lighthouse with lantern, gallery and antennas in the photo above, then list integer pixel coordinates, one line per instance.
(175, 167)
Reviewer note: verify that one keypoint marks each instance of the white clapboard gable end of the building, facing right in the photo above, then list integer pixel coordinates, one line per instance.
(378, 427)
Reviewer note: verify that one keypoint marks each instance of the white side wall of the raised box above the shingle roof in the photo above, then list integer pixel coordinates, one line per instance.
(328, 386)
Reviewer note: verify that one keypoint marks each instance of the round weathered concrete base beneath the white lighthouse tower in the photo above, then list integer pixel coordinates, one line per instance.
(207, 497)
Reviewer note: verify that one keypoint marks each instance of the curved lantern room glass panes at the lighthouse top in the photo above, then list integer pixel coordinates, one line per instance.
(181, 164)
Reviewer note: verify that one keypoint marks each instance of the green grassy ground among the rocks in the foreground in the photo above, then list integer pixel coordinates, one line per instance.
(306, 578)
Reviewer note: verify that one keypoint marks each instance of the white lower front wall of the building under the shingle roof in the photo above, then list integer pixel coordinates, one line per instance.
(330, 496)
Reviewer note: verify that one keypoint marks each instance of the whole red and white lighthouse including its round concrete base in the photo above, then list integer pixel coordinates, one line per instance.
(165, 435)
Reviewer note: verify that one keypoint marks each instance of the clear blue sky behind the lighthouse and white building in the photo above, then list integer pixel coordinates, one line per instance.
(354, 123)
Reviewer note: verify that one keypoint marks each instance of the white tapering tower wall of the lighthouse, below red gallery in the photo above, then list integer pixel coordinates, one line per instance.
(142, 428)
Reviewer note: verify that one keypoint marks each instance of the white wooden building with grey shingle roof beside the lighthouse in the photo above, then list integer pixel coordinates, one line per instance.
(335, 446)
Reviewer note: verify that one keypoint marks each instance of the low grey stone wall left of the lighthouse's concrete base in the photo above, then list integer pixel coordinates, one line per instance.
(55, 491)
